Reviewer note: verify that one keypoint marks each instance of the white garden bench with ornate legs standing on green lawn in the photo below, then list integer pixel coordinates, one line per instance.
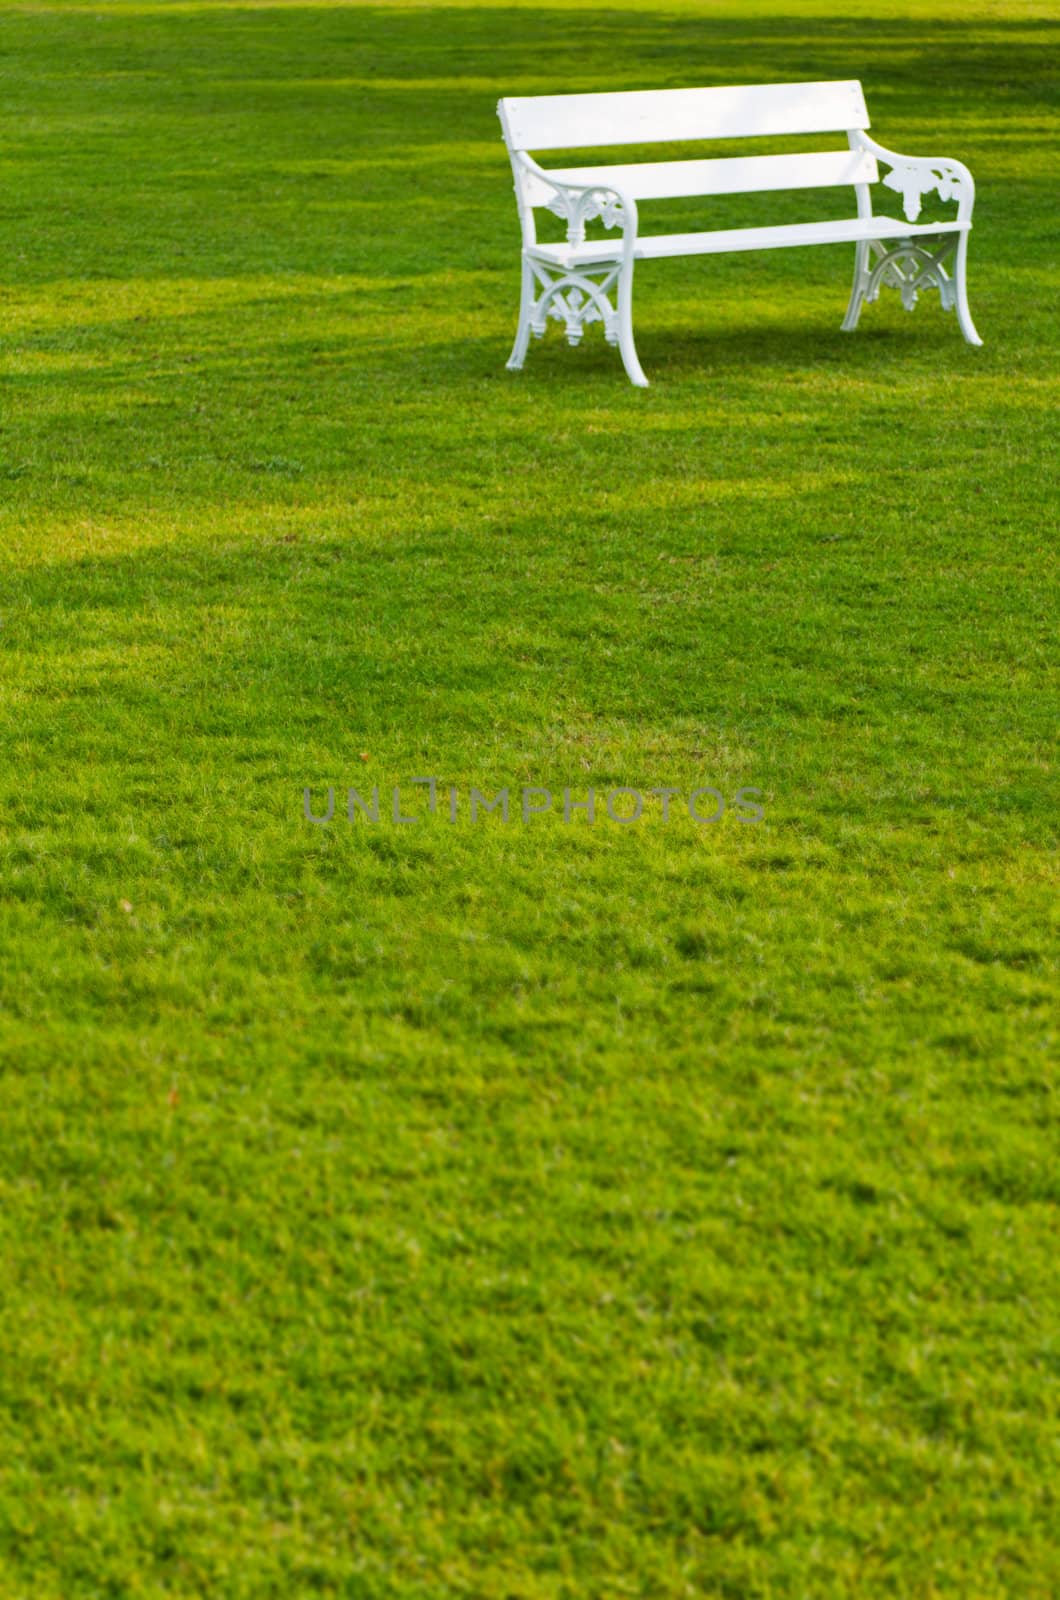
(574, 282)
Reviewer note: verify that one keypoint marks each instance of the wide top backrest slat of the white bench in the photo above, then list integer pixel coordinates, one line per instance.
(555, 122)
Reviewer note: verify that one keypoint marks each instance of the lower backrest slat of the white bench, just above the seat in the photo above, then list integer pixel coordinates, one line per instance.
(726, 177)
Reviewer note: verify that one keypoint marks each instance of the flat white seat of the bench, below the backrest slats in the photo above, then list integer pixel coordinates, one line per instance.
(848, 231)
